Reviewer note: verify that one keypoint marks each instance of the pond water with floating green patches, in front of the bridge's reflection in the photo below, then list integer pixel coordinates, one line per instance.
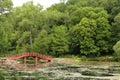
(55, 71)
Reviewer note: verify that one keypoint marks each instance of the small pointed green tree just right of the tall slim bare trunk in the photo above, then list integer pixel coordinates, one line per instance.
(42, 42)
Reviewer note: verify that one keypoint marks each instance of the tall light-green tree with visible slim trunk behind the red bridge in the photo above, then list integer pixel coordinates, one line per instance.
(27, 23)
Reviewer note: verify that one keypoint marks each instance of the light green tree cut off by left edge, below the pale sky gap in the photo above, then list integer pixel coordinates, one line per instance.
(5, 29)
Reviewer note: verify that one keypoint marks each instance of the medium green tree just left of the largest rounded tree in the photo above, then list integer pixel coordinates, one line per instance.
(59, 40)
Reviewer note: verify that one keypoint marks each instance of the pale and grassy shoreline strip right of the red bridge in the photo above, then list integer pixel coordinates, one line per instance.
(80, 62)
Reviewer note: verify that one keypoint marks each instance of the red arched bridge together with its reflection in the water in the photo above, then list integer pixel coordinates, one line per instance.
(46, 60)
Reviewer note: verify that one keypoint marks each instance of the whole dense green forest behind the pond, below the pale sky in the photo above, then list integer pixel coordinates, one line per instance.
(88, 28)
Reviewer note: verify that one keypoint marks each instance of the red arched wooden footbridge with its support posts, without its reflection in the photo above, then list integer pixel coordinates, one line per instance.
(25, 55)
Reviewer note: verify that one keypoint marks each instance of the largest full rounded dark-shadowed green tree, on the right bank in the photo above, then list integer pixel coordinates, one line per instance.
(92, 33)
